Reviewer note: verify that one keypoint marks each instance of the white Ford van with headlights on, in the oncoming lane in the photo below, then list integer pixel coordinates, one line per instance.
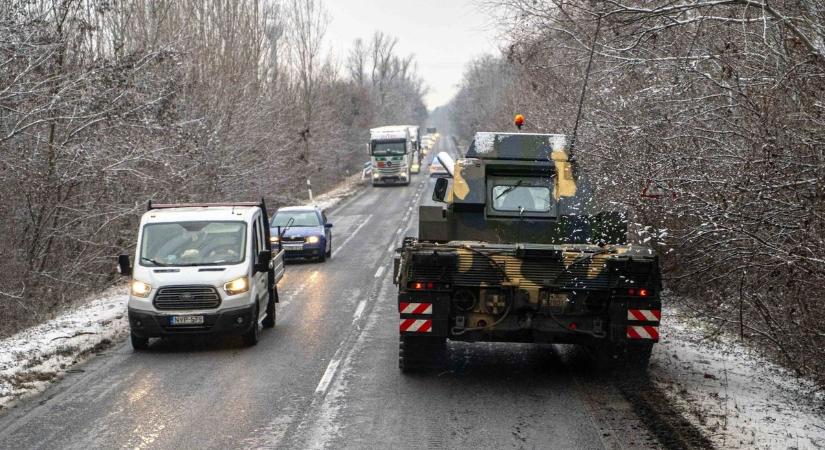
(202, 269)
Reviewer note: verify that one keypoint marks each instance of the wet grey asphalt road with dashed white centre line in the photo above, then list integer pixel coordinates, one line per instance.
(327, 375)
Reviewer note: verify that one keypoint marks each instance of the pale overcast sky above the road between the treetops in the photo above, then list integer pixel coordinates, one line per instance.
(443, 34)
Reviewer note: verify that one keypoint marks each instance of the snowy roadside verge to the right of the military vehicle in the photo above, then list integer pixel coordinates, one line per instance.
(737, 398)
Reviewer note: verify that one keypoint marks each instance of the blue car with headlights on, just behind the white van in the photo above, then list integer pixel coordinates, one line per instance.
(305, 232)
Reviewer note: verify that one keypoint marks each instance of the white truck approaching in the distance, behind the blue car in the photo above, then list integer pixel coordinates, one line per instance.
(390, 151)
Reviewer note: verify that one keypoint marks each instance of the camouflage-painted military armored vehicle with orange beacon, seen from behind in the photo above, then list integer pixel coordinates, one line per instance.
(513, 249)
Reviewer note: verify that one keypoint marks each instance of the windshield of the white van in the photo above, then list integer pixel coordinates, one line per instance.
(193, 243)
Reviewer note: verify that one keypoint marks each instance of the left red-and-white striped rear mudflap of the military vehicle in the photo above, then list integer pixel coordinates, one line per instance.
(426, 314)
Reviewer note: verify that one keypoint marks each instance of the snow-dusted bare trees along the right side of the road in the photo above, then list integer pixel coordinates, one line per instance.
(717, 100)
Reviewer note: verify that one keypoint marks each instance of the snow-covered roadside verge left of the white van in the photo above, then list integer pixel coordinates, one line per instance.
(32, 358)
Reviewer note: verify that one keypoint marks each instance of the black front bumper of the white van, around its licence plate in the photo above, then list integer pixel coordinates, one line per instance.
(149, 324)
